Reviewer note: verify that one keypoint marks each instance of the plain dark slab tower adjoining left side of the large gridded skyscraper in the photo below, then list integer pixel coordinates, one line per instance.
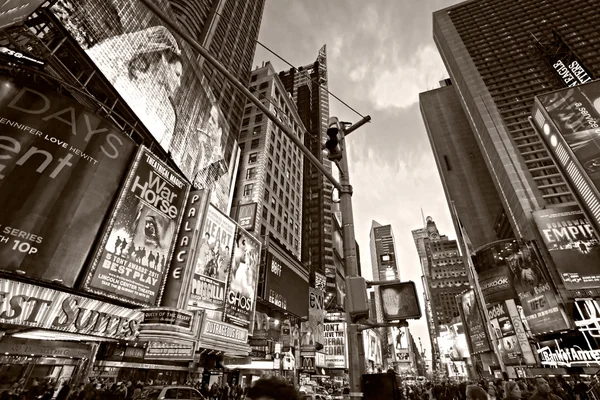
(465, 178)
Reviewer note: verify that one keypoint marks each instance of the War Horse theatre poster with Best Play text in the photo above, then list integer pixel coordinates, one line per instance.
(133, 259)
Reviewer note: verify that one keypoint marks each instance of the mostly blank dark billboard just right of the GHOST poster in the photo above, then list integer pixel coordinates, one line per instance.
(285, 287)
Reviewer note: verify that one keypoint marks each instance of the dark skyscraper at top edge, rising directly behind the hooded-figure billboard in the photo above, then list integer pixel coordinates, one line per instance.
(228, 29)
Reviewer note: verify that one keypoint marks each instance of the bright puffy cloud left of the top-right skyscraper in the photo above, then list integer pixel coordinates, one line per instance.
(399, 86)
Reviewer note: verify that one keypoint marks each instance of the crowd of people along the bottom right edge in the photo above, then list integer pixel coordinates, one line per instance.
(521, 389)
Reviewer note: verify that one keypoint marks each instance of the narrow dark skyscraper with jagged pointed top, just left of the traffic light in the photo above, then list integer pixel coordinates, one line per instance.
(307, 85)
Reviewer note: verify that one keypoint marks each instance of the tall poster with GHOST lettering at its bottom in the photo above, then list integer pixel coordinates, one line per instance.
(243, 277)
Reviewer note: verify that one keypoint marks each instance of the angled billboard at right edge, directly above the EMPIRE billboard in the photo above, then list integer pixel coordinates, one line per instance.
(568, 122)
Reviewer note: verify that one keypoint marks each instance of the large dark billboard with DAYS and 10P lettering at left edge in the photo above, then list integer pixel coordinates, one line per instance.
(60, 169)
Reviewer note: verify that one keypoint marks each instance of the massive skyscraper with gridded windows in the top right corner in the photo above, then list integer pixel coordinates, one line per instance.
(488, 48)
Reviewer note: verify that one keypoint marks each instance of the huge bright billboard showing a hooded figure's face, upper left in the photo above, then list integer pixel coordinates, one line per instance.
(158, 77)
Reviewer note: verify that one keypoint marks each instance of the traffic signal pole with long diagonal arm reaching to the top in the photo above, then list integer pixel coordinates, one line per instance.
(355, 356)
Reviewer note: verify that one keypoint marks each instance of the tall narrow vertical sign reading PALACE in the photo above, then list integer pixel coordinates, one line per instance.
(183, 263)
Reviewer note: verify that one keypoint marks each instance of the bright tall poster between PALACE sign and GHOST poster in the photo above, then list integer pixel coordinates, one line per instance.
(213, 260)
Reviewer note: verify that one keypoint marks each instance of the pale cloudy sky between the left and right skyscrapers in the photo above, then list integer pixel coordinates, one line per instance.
(380, 56)
